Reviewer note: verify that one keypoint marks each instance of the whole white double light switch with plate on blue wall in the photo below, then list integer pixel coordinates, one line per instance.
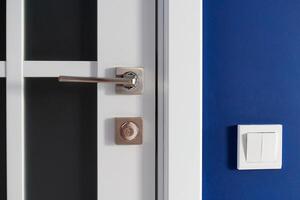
(259, 147)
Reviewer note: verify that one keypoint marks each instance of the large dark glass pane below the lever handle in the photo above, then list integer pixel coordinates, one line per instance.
(61, 140)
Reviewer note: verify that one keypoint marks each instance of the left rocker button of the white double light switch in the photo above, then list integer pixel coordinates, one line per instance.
(254, 147)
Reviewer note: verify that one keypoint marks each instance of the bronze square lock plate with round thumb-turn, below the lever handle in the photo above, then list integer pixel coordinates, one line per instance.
(129, 130)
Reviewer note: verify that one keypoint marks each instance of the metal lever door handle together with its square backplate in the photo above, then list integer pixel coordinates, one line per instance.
(127, 80)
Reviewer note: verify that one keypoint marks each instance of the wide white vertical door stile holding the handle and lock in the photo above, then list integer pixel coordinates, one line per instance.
(126, 38)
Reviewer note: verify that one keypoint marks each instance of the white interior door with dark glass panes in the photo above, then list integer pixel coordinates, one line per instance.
(61, 136)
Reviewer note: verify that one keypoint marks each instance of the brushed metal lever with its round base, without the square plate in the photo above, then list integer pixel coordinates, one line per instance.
(128, 79)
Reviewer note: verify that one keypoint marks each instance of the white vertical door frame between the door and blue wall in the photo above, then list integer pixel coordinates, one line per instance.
(179, 99)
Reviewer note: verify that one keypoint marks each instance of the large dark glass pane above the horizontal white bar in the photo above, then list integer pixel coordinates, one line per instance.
(61, 30)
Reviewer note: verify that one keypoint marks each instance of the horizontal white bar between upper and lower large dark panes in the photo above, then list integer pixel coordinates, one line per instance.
(57, 68)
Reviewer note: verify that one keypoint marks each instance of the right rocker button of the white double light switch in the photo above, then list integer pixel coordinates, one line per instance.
(269, 150)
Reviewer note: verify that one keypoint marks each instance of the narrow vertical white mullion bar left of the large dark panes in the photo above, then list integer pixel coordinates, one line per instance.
(15, 100)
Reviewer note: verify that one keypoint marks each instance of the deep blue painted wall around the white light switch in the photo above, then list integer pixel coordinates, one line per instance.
(251, 75)
